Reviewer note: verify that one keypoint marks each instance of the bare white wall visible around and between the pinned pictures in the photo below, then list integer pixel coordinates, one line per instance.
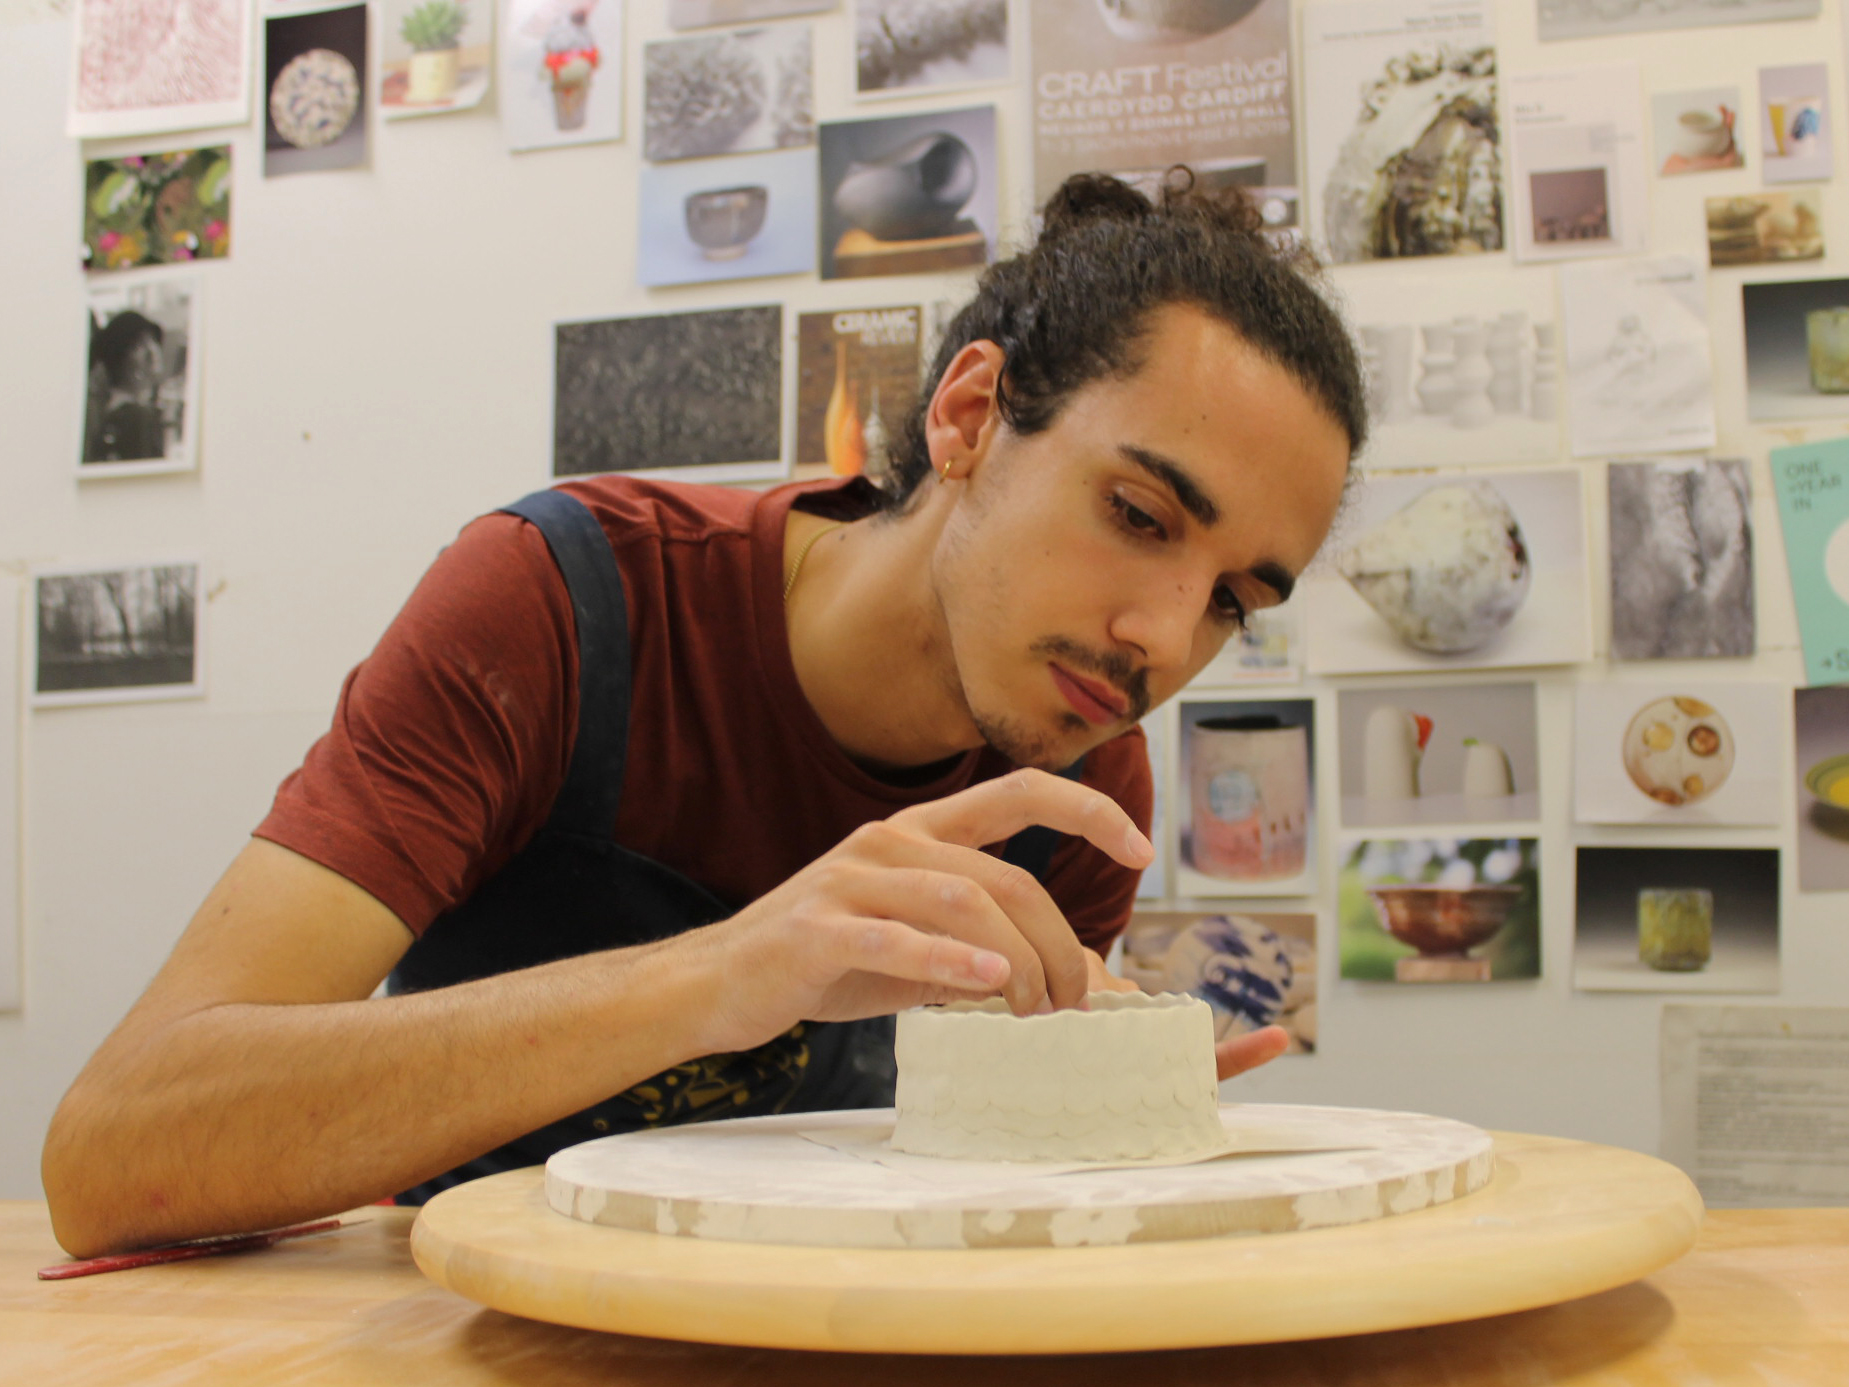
(376, 362)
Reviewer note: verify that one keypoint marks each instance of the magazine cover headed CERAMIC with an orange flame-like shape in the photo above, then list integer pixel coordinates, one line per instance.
(857, 380)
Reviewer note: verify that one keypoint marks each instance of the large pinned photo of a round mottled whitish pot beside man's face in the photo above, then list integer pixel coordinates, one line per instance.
(1454, 572)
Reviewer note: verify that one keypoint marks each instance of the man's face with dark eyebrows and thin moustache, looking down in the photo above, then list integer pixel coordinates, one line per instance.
(1092, 571)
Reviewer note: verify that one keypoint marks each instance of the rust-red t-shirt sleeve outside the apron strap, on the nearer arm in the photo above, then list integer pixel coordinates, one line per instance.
(452, 739)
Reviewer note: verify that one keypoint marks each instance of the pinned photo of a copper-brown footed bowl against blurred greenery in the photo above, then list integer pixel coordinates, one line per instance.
(1439, 909)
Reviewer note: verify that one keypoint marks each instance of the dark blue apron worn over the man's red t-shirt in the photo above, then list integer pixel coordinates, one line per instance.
(574, 890)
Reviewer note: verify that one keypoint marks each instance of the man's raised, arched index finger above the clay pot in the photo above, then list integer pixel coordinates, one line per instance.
(1003, 807)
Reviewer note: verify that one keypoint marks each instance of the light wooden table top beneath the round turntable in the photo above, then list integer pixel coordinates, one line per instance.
(1763, 1299)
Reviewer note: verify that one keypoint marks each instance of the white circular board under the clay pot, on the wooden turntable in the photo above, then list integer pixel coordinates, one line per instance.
(761, 1181)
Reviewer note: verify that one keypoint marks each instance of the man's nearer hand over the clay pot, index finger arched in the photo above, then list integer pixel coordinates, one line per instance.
(909, 911)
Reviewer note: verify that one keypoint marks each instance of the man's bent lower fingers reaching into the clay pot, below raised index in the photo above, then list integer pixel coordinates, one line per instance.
(979, 898)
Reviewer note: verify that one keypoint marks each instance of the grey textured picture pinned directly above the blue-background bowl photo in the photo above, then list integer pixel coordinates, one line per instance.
(728, 93)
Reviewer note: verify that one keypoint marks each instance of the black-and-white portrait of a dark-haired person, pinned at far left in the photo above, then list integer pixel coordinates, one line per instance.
(141, 376)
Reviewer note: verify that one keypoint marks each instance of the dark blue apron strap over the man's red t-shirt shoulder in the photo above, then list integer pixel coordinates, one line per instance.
(594, 779)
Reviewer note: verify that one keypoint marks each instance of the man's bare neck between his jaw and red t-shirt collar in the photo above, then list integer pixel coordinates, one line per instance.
(868, 641)
